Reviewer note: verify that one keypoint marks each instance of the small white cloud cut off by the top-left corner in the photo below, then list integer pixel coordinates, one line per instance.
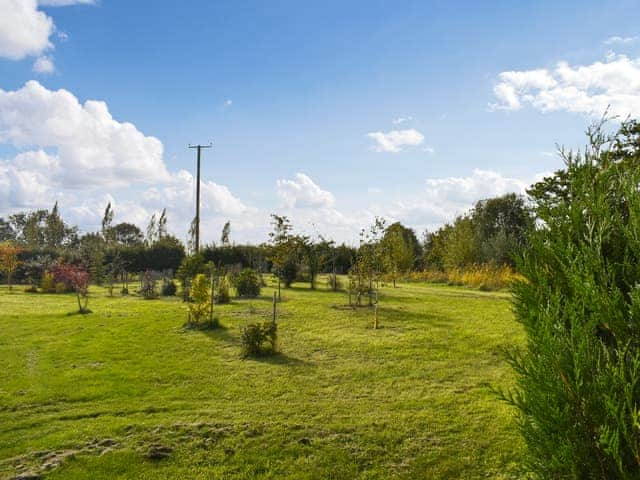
(24, 30)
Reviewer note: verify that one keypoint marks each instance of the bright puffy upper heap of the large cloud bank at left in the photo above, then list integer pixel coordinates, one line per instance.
(93, 148)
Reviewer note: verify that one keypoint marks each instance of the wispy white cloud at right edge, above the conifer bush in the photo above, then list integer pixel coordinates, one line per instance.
(588, 89)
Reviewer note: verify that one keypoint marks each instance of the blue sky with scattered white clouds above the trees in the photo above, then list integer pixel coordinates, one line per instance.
(328, 112)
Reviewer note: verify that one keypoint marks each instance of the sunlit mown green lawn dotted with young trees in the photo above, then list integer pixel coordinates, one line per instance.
(127, 392)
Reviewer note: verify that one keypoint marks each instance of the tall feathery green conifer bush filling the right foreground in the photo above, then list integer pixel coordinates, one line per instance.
(578, 379)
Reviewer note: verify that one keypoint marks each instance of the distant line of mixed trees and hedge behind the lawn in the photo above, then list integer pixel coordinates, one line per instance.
(491, 233)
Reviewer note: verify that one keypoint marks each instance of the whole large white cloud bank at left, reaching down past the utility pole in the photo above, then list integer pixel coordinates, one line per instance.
(77, 154)
